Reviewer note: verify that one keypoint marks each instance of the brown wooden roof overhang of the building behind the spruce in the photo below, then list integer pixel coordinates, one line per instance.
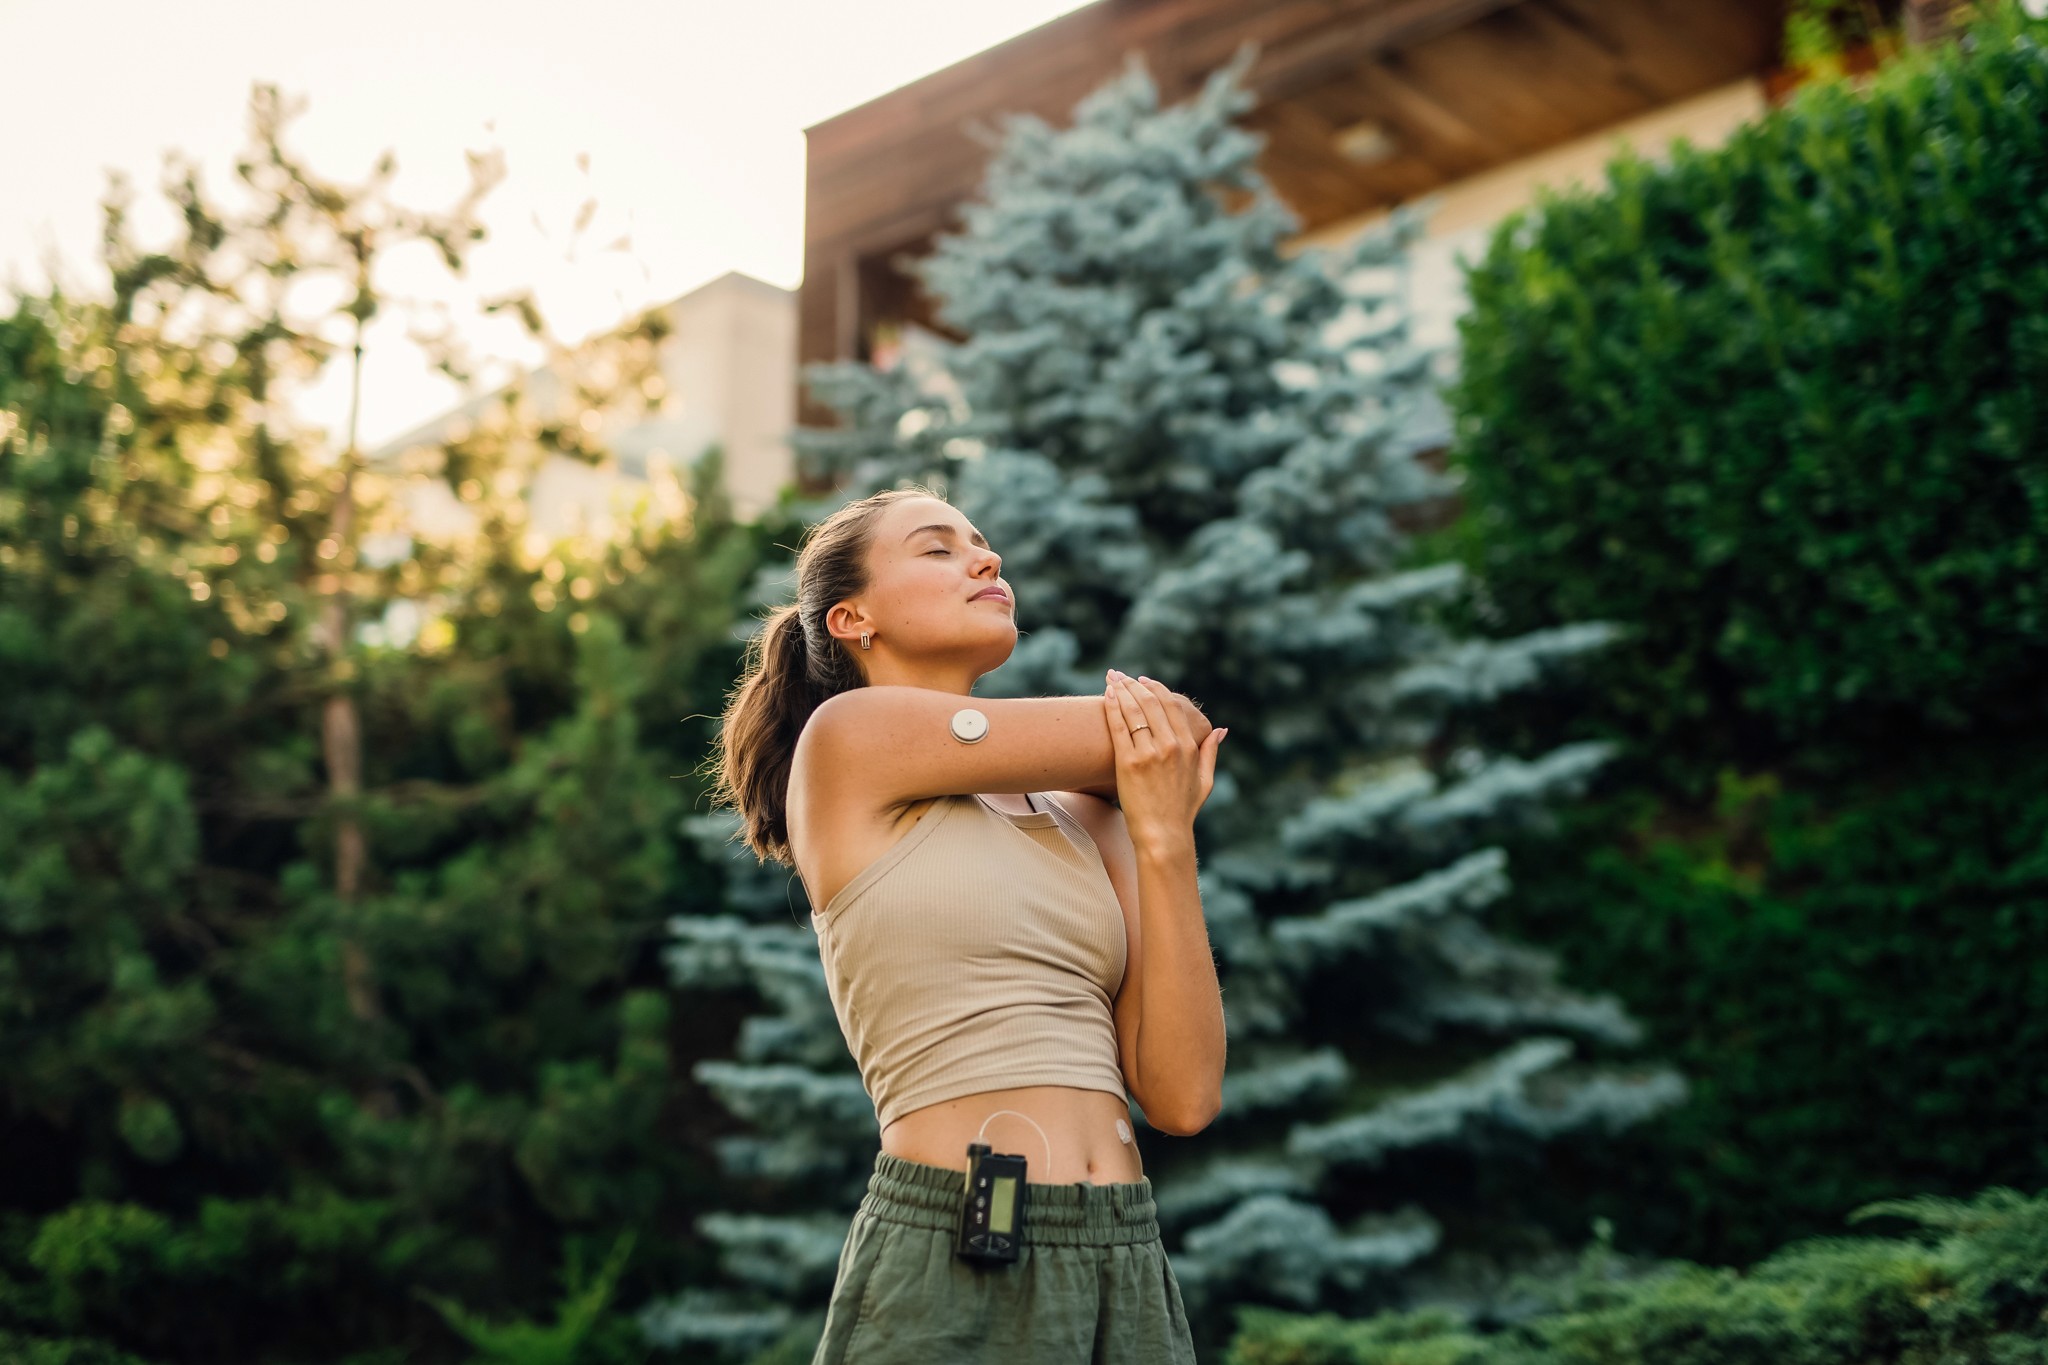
(1445, 89)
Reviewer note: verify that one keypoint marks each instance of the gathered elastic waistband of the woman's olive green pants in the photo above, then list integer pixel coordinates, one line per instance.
(1078, 1215)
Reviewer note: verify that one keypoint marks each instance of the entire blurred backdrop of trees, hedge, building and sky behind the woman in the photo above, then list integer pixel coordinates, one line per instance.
(1590, 451)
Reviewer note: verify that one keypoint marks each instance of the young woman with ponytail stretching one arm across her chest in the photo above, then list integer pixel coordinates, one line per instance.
(978, 871)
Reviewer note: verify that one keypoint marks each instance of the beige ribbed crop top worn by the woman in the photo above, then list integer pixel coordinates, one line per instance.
(980, 953)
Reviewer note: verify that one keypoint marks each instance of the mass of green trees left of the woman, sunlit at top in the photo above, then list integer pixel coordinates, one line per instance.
(290, 1063)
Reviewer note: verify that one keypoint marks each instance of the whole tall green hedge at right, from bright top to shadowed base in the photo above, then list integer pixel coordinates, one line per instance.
(1779, 408)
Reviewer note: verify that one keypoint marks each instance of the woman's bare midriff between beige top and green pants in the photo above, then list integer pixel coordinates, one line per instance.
(1080, 1127)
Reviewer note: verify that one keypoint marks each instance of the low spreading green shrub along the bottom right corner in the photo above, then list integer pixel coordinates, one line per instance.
(1975, 1294)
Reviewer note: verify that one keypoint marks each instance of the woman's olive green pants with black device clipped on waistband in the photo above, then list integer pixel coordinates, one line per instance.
(1091, 1286)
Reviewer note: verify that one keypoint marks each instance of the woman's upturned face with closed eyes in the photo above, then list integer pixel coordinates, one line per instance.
(937, 603)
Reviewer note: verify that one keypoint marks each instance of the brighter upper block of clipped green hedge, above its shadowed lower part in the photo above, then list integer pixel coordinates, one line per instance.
(1781, 404)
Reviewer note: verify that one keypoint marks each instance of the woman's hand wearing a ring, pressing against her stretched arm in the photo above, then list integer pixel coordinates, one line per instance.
(1164, 773)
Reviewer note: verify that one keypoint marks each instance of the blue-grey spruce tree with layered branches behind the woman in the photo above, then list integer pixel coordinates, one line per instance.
(1191, 447)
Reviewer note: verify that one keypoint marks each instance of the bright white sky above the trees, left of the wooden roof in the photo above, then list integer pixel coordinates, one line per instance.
(691, 114)
